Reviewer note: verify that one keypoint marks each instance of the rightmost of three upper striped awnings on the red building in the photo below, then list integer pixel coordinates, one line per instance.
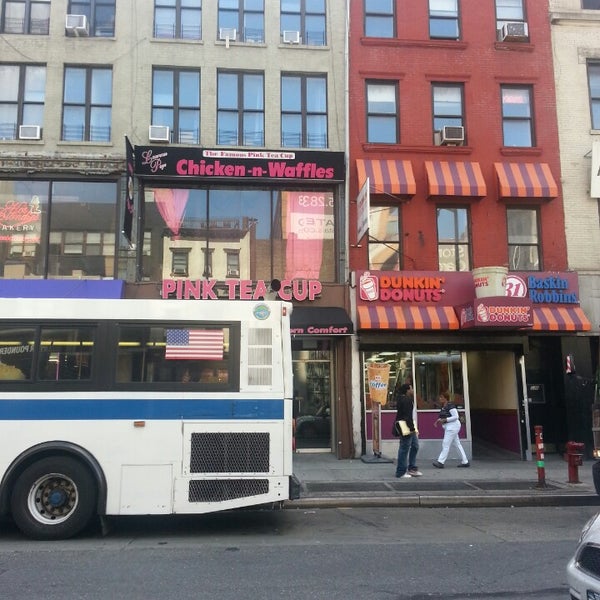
(525, 180)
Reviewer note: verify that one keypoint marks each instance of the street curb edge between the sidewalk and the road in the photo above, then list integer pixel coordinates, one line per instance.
(425, 501)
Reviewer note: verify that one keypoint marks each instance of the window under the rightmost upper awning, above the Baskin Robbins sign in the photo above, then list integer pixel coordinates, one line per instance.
(523, 239)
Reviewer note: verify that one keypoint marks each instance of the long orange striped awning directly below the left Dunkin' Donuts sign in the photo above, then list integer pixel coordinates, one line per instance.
(407, 317)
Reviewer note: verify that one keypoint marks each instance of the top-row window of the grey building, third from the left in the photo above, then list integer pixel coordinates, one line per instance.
(178, 19)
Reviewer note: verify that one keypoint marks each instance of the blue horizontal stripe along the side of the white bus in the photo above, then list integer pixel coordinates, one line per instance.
(92, 410)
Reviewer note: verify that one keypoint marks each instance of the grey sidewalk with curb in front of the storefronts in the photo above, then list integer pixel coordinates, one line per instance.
(329, 482)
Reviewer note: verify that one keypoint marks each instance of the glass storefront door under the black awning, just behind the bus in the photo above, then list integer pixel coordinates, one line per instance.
(312, 399)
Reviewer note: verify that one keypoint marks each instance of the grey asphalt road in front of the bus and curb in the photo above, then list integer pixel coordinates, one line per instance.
(332, 554)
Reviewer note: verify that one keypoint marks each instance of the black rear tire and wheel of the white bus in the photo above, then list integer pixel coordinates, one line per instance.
(53, 498)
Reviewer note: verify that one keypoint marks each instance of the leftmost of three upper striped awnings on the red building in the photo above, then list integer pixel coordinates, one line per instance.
(387, 176)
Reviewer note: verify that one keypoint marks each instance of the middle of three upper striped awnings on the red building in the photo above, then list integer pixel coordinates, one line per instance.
(455, 179)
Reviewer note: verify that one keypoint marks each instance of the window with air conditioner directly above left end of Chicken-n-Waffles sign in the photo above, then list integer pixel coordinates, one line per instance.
(176, 103)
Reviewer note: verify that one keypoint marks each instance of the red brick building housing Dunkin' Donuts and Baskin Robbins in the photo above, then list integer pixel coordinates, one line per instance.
(452, 119)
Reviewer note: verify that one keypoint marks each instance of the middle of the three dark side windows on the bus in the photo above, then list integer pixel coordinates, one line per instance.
(66, 353)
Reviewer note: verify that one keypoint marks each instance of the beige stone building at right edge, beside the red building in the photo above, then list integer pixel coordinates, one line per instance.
(576, 48)
